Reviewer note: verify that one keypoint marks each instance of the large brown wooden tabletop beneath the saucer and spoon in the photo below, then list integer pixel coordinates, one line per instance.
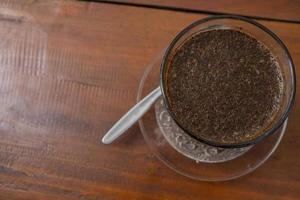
(70, 69)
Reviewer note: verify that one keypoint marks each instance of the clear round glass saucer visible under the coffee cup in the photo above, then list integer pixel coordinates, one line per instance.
(190, 157)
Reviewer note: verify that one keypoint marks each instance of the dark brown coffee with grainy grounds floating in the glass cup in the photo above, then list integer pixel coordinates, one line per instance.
(223, 86)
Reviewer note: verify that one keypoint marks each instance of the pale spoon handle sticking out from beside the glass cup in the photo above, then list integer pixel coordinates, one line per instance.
(133, 115)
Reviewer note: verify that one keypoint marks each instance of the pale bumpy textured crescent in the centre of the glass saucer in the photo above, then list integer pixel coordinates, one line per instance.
(188, 146)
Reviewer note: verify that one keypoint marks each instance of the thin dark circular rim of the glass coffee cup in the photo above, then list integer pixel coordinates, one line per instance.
(263, 28)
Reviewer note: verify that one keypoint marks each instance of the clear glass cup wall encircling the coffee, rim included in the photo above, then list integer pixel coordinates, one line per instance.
(262, 34)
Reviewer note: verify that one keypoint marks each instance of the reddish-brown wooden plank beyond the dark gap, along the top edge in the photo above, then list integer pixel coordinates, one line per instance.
(277, 9)
